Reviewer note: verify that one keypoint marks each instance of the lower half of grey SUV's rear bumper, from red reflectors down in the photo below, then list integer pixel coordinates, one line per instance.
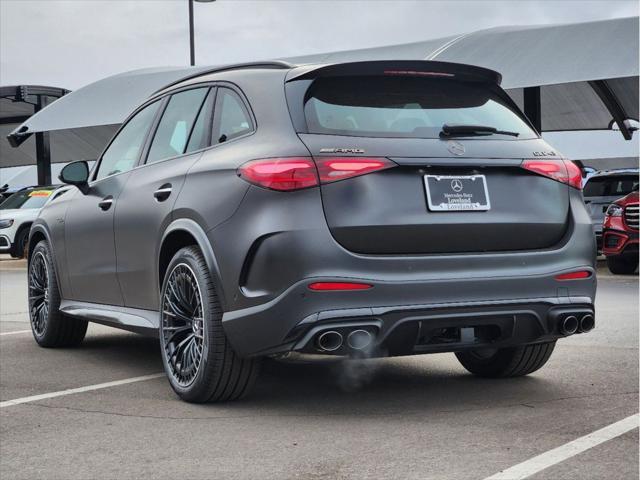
(398, 318)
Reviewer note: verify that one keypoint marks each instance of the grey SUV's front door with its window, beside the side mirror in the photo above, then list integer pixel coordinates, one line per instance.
(89, 239)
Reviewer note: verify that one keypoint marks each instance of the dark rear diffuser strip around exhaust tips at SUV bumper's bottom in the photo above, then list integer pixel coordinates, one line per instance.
(417, 329)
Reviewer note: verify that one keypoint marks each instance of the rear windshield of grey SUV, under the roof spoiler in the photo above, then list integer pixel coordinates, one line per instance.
(374, 106)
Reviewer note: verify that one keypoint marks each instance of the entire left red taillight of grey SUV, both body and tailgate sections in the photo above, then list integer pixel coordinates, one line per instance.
(295, 173)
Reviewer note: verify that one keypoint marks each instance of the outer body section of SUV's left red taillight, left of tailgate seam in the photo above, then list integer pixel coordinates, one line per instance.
(283, 174)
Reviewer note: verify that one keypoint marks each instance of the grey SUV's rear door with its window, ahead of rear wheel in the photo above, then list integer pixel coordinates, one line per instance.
(145, 206)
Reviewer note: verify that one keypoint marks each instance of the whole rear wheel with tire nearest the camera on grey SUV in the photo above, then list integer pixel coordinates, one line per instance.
(199, 361)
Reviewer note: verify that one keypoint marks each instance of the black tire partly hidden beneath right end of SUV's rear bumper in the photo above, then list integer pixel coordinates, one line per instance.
(506, 362)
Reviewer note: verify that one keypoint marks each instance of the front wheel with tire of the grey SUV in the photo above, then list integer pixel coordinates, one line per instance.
(50, 327)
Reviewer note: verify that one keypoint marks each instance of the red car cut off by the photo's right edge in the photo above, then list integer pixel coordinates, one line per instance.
(620, 234)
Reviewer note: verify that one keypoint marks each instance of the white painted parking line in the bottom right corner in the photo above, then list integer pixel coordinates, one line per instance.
(566, 451)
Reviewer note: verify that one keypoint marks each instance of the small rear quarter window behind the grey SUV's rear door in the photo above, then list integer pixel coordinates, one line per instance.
(231, 118)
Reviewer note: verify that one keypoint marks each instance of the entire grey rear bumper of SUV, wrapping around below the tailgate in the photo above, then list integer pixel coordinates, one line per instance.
(269, 252)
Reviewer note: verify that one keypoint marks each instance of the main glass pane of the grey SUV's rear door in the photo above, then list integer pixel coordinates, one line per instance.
(173, 131)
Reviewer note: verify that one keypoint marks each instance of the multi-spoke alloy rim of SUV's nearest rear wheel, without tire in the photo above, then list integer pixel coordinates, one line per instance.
(182, 326)
